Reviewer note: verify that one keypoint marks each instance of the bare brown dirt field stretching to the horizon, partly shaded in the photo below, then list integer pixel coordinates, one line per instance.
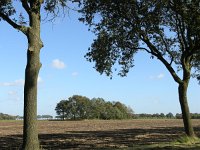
(95, 134)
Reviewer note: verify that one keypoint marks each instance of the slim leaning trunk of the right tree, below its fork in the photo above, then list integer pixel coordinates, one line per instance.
(182, 89)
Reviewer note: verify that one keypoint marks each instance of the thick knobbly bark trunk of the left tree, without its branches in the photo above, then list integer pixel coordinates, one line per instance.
(30, 133)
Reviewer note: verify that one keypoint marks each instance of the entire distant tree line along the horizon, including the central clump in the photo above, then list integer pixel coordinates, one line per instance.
(106, 111)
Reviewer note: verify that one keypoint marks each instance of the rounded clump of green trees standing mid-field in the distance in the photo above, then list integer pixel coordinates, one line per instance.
(80, 107)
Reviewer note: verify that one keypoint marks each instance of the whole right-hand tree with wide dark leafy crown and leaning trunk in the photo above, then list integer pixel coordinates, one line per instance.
(166, 29)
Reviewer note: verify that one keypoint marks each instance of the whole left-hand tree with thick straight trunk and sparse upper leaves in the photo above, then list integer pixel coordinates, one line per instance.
(30, 27)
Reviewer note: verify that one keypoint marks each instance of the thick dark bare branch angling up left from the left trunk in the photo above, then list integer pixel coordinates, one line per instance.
(13, 24)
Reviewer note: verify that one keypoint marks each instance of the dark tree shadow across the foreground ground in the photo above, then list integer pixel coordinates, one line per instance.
(158, 138)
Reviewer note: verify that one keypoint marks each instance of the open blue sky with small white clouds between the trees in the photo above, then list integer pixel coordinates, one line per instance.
(148, 87)
